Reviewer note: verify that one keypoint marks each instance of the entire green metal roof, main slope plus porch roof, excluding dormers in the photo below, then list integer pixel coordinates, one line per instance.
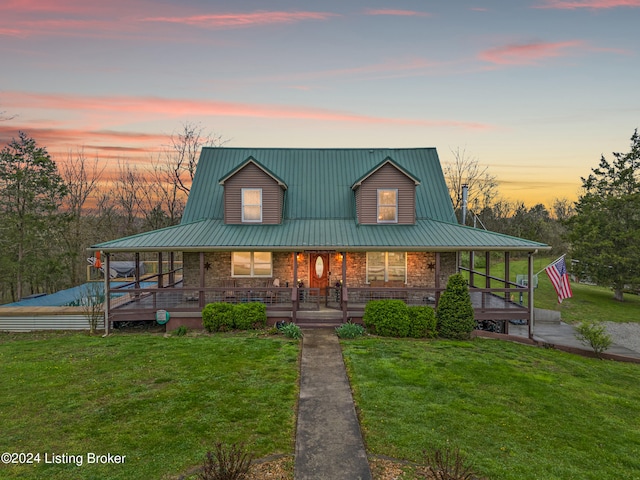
(319, 211)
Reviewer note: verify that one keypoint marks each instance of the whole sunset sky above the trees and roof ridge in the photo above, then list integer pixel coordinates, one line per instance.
(535, 89)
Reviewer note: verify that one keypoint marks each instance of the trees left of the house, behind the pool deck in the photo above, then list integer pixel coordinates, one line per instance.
(50, 214)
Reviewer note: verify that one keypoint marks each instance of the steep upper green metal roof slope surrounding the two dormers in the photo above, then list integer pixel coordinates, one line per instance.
(319, 180)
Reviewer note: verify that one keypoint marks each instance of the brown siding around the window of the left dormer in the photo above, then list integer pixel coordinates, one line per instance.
(252, 177)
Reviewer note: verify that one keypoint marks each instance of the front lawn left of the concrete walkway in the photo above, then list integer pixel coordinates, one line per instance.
(162, 402)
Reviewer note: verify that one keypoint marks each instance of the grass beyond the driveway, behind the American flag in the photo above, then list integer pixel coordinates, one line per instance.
(588, 302)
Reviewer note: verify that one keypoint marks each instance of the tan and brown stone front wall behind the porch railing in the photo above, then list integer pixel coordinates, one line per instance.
(419, 273)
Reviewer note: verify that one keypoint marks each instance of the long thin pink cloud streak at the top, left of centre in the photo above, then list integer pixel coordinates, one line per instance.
(243, 19)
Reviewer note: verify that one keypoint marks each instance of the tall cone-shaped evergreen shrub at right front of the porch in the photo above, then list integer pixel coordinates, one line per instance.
(454, 316)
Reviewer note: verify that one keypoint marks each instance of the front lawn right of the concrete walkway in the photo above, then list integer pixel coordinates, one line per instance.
(517, 412)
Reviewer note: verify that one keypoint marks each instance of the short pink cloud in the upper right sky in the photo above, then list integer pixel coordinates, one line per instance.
(528, 54)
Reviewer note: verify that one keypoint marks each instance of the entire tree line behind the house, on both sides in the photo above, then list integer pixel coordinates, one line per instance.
(49, 215)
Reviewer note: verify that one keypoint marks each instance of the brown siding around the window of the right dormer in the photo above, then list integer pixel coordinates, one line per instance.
(386, 177)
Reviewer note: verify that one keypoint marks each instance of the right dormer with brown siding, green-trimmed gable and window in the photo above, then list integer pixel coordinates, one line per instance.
(386, 195)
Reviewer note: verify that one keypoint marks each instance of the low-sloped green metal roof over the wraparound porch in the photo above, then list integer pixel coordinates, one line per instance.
(309, 234)
